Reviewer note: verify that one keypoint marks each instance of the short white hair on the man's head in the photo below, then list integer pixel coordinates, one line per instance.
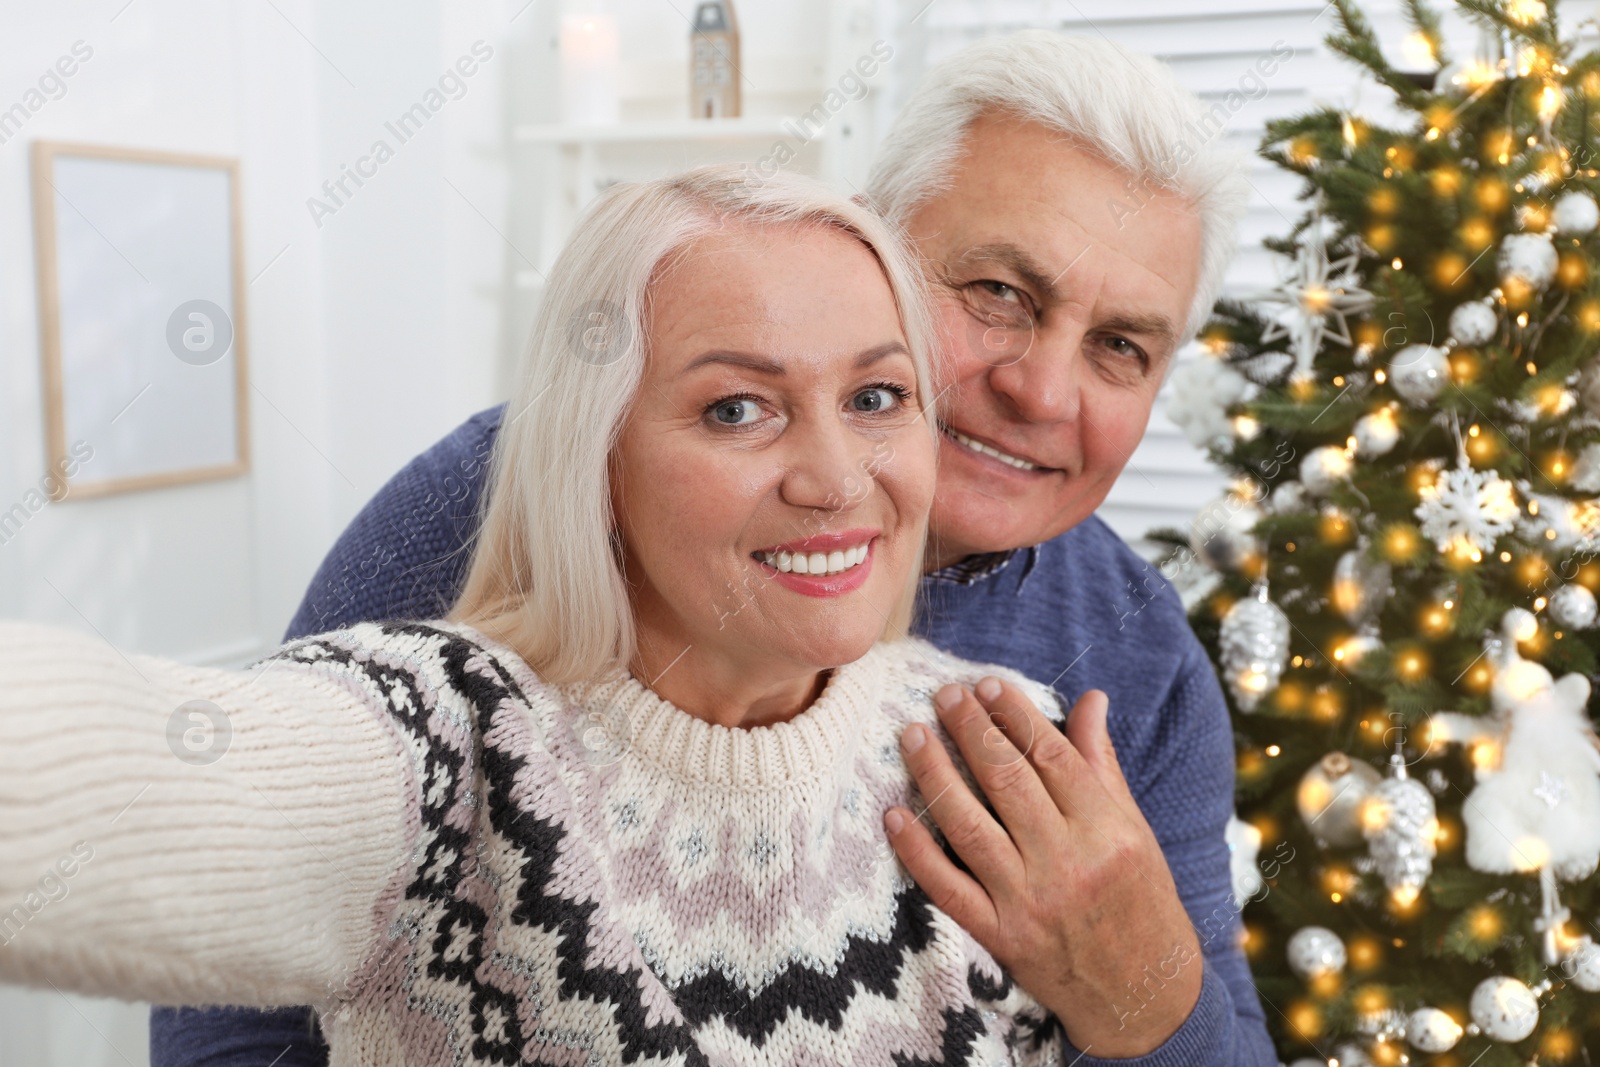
(1119, 105)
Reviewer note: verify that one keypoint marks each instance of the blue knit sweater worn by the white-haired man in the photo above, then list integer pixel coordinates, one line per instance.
(1076, 613)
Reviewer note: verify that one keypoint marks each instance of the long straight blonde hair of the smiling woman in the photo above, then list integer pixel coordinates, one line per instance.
(546, 573)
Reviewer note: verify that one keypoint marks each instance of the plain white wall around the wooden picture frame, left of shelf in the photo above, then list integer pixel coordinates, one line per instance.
(369, 337)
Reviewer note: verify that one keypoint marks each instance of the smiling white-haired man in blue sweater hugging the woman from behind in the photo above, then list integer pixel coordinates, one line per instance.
(1076, 233)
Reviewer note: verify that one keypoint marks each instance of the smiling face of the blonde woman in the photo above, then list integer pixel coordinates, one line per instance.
(775, 473)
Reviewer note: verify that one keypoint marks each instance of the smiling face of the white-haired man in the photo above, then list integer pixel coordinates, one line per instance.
(1060, 302)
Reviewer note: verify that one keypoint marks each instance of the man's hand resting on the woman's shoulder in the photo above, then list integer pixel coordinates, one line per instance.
(1071, 895)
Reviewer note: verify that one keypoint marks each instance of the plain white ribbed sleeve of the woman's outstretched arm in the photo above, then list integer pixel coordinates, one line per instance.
(185, 834)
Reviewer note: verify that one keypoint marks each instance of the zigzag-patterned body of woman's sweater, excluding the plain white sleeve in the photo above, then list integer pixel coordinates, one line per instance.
(604, 879)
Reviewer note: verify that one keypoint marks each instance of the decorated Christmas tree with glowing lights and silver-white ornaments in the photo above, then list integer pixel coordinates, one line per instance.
(1399, 589)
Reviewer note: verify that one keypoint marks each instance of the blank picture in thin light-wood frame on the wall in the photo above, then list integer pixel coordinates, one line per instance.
(142, 316)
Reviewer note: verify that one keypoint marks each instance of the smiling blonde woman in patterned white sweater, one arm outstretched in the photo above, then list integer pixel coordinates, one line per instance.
(626, 802)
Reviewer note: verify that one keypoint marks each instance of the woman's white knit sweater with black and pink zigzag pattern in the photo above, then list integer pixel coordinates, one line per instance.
(462, 865)
